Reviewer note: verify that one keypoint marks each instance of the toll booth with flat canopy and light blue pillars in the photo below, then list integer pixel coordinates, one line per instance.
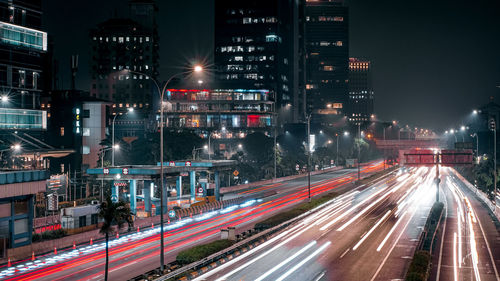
(148, 177)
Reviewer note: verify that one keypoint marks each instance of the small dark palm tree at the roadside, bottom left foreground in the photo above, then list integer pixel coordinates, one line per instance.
(113, 214)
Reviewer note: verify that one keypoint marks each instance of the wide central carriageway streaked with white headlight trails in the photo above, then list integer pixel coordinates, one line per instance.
(366, 234)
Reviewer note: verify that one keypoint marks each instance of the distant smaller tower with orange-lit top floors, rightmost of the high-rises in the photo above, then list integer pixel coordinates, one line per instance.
(360, 105)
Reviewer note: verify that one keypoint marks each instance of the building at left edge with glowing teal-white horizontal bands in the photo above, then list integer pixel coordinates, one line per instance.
(23, 46)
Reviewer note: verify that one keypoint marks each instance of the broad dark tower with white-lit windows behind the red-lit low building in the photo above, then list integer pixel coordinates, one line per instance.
(255, 48)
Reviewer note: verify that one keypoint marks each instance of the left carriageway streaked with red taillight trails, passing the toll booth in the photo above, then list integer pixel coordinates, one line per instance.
(134, 254)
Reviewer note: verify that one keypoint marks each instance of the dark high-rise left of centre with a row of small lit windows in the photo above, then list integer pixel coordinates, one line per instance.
(122, 49)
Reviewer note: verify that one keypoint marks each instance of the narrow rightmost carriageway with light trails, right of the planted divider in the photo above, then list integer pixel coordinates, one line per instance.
(469, 246)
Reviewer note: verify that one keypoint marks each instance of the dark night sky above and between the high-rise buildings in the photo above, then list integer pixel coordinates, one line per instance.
(433, 61)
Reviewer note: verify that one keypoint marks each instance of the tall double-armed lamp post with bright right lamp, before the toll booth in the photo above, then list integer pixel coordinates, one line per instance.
(161, 91)
